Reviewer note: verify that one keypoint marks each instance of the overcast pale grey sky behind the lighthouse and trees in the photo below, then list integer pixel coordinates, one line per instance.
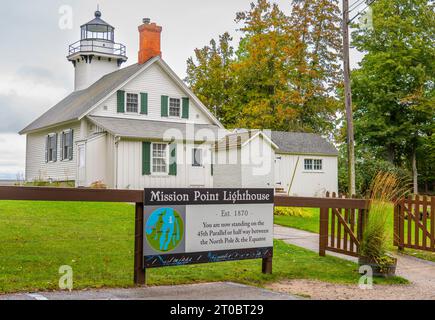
(35, 73)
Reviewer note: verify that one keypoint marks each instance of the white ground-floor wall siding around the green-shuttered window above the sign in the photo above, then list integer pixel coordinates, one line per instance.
(129, 169)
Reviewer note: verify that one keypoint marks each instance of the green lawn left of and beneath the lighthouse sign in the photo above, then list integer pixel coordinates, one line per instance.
(96, 240)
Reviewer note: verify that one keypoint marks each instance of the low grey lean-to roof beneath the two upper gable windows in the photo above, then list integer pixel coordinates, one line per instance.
(150, 129)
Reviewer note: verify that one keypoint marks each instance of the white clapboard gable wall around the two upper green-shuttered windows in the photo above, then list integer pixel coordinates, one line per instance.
(156, 83)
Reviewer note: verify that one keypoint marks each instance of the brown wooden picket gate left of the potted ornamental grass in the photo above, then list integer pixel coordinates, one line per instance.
(341, 227)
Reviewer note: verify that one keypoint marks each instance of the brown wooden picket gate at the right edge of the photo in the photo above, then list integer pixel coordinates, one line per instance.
(414, 223)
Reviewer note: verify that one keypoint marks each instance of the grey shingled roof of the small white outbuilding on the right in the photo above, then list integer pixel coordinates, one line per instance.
(302, 143)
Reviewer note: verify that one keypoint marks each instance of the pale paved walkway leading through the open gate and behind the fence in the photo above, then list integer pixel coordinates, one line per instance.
(420, 273)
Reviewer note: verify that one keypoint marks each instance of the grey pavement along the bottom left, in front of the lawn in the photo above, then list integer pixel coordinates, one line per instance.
(209, 291)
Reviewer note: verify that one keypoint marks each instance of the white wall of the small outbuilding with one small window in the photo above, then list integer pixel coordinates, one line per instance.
(307, 183)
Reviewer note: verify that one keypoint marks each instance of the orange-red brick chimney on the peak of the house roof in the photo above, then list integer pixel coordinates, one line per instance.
(150, 36)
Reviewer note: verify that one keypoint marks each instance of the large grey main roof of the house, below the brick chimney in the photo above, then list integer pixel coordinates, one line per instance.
(80, 103)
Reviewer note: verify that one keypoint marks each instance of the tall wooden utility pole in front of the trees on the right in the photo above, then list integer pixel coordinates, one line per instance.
(348, 101)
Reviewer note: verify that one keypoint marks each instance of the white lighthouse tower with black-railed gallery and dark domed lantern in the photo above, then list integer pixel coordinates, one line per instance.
(96, 53)
